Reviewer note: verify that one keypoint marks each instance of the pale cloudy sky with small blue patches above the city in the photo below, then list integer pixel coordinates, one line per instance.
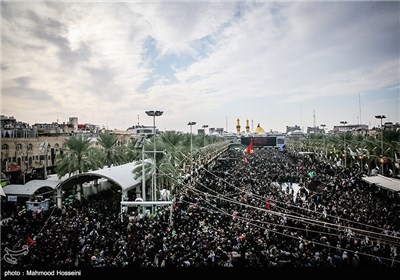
(276, 64)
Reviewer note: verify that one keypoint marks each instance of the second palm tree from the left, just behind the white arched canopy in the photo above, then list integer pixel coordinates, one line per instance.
(110, 154)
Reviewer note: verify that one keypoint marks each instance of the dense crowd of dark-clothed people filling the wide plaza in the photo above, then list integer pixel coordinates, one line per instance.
(248, 210)
